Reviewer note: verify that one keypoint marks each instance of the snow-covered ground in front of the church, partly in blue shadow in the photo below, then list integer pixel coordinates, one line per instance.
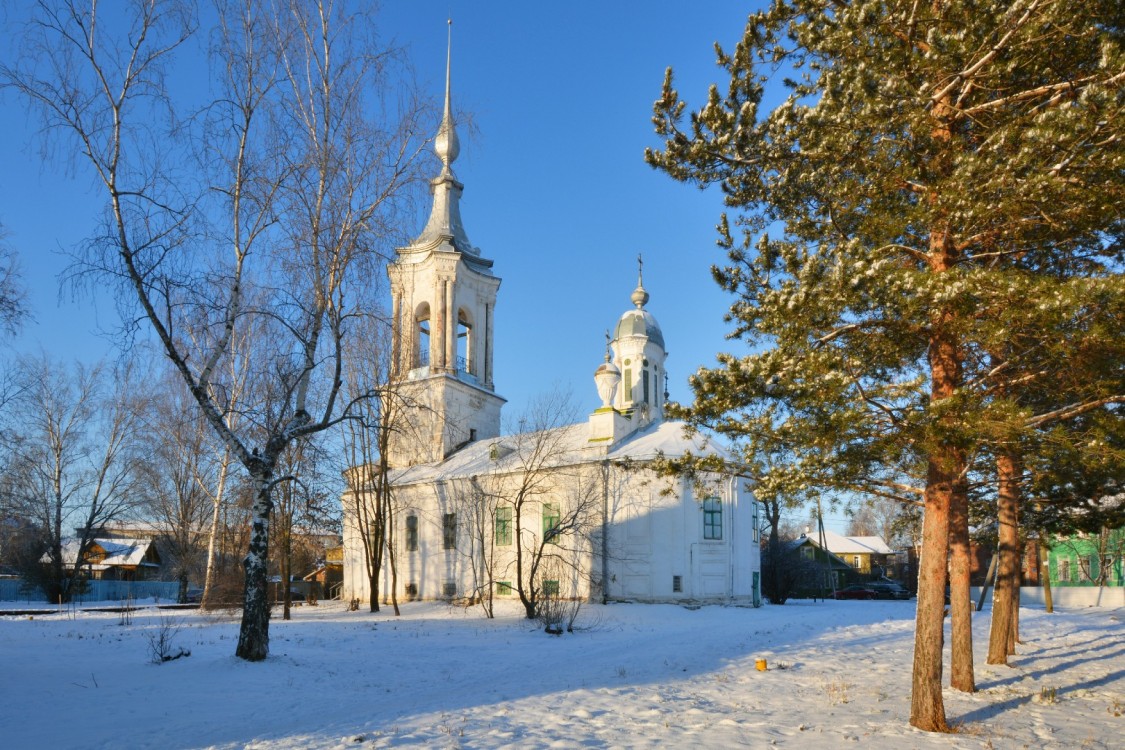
(635, 676)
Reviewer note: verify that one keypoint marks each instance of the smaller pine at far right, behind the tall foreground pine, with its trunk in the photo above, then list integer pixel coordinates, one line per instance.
(1051, 368)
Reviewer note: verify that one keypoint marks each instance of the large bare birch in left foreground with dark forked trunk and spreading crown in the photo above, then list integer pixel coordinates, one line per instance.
(265, 209)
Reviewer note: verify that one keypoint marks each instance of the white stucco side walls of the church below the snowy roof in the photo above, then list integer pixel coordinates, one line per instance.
(653, 536)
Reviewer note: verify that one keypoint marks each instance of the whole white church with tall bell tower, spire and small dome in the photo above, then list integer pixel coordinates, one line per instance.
(577, 511)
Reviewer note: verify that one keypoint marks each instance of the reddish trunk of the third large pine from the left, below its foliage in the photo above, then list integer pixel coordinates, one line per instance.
(1009, 575)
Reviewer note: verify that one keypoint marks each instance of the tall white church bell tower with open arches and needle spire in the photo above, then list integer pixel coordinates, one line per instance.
(444, 296)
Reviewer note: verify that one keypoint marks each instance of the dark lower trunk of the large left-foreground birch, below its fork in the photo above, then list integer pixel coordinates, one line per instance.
(255, 632)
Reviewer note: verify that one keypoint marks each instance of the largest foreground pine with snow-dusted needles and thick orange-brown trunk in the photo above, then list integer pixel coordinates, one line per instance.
(929, 160)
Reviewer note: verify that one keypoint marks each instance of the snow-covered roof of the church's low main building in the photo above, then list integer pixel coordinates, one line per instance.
(568, 446)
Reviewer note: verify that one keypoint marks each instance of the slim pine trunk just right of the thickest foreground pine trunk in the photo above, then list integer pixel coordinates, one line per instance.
(961, 663)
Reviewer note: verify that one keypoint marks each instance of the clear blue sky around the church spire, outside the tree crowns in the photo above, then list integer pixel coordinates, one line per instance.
(556, 188)
